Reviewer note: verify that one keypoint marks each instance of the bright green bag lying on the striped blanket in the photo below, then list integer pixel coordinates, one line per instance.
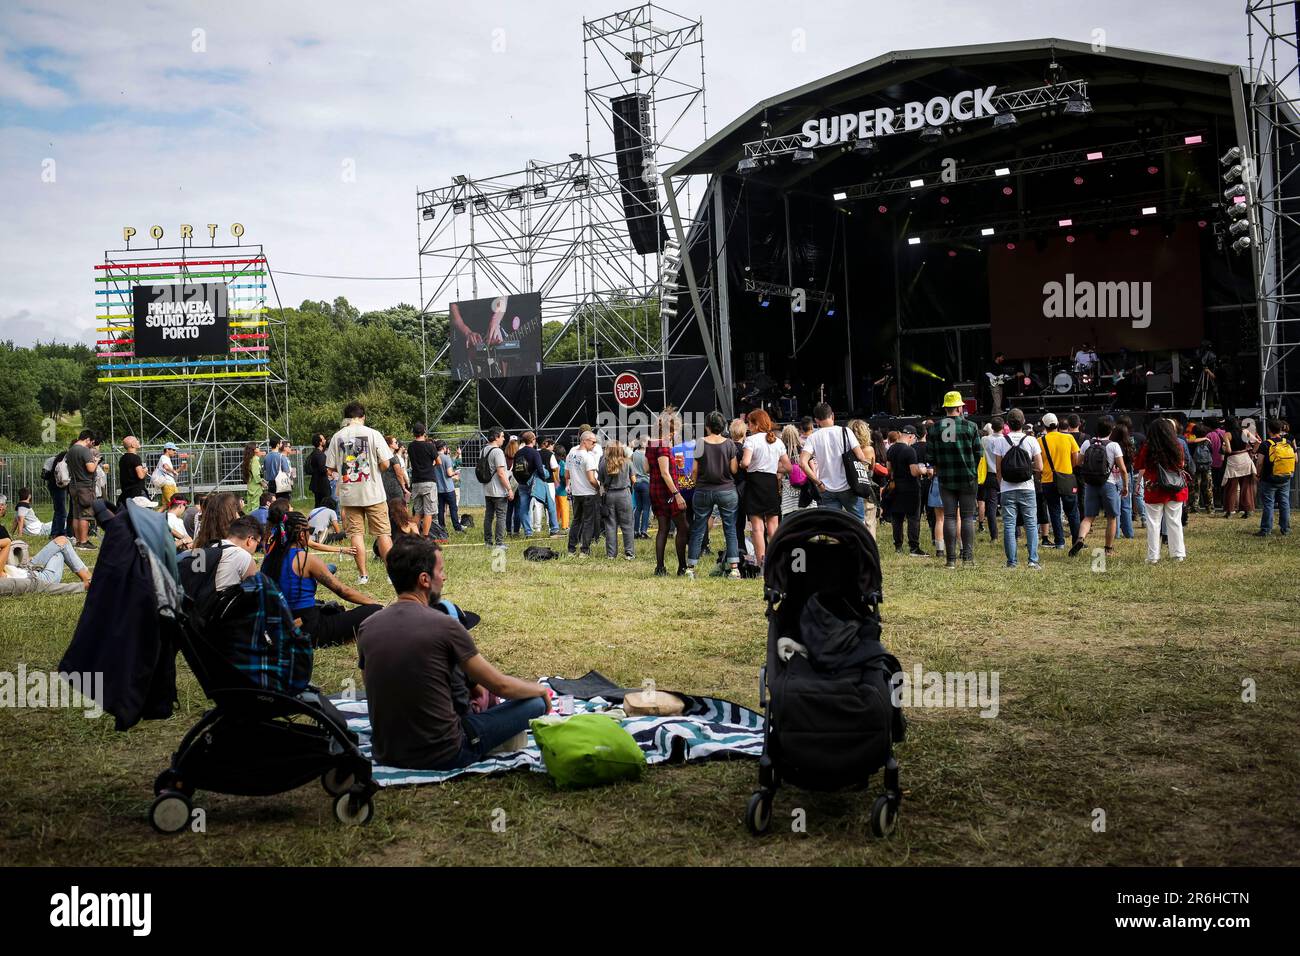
(587, 751)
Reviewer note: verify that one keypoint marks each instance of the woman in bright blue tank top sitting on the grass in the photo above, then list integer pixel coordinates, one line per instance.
(297, 572)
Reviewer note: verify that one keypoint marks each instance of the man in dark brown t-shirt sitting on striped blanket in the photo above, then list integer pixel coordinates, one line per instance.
(409, 655)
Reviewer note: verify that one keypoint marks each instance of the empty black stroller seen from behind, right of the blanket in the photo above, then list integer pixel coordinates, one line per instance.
(826, 689)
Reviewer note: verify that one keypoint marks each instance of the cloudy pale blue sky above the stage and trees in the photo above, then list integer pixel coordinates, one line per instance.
(314, 124)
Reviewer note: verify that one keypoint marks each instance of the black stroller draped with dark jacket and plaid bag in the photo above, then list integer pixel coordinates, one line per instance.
(270, 732)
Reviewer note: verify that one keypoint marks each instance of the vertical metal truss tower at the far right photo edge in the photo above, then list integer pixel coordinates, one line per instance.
(1275, 135)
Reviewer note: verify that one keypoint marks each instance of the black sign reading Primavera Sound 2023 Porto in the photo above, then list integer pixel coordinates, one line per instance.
(190, 319)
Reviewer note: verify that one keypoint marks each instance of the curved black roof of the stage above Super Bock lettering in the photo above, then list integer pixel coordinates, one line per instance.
(1120, 83)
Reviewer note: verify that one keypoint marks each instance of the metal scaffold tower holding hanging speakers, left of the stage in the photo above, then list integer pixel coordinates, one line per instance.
(561, 230)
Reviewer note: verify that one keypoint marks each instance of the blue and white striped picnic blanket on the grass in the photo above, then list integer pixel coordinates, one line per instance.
(710, 729)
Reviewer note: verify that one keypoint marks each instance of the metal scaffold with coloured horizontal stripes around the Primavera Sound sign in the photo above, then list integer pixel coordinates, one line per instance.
(254, 378)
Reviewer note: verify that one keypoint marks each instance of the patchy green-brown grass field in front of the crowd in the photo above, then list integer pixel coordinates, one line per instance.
(1120, 690)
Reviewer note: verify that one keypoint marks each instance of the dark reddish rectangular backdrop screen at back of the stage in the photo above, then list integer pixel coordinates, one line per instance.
(1128, 292)
